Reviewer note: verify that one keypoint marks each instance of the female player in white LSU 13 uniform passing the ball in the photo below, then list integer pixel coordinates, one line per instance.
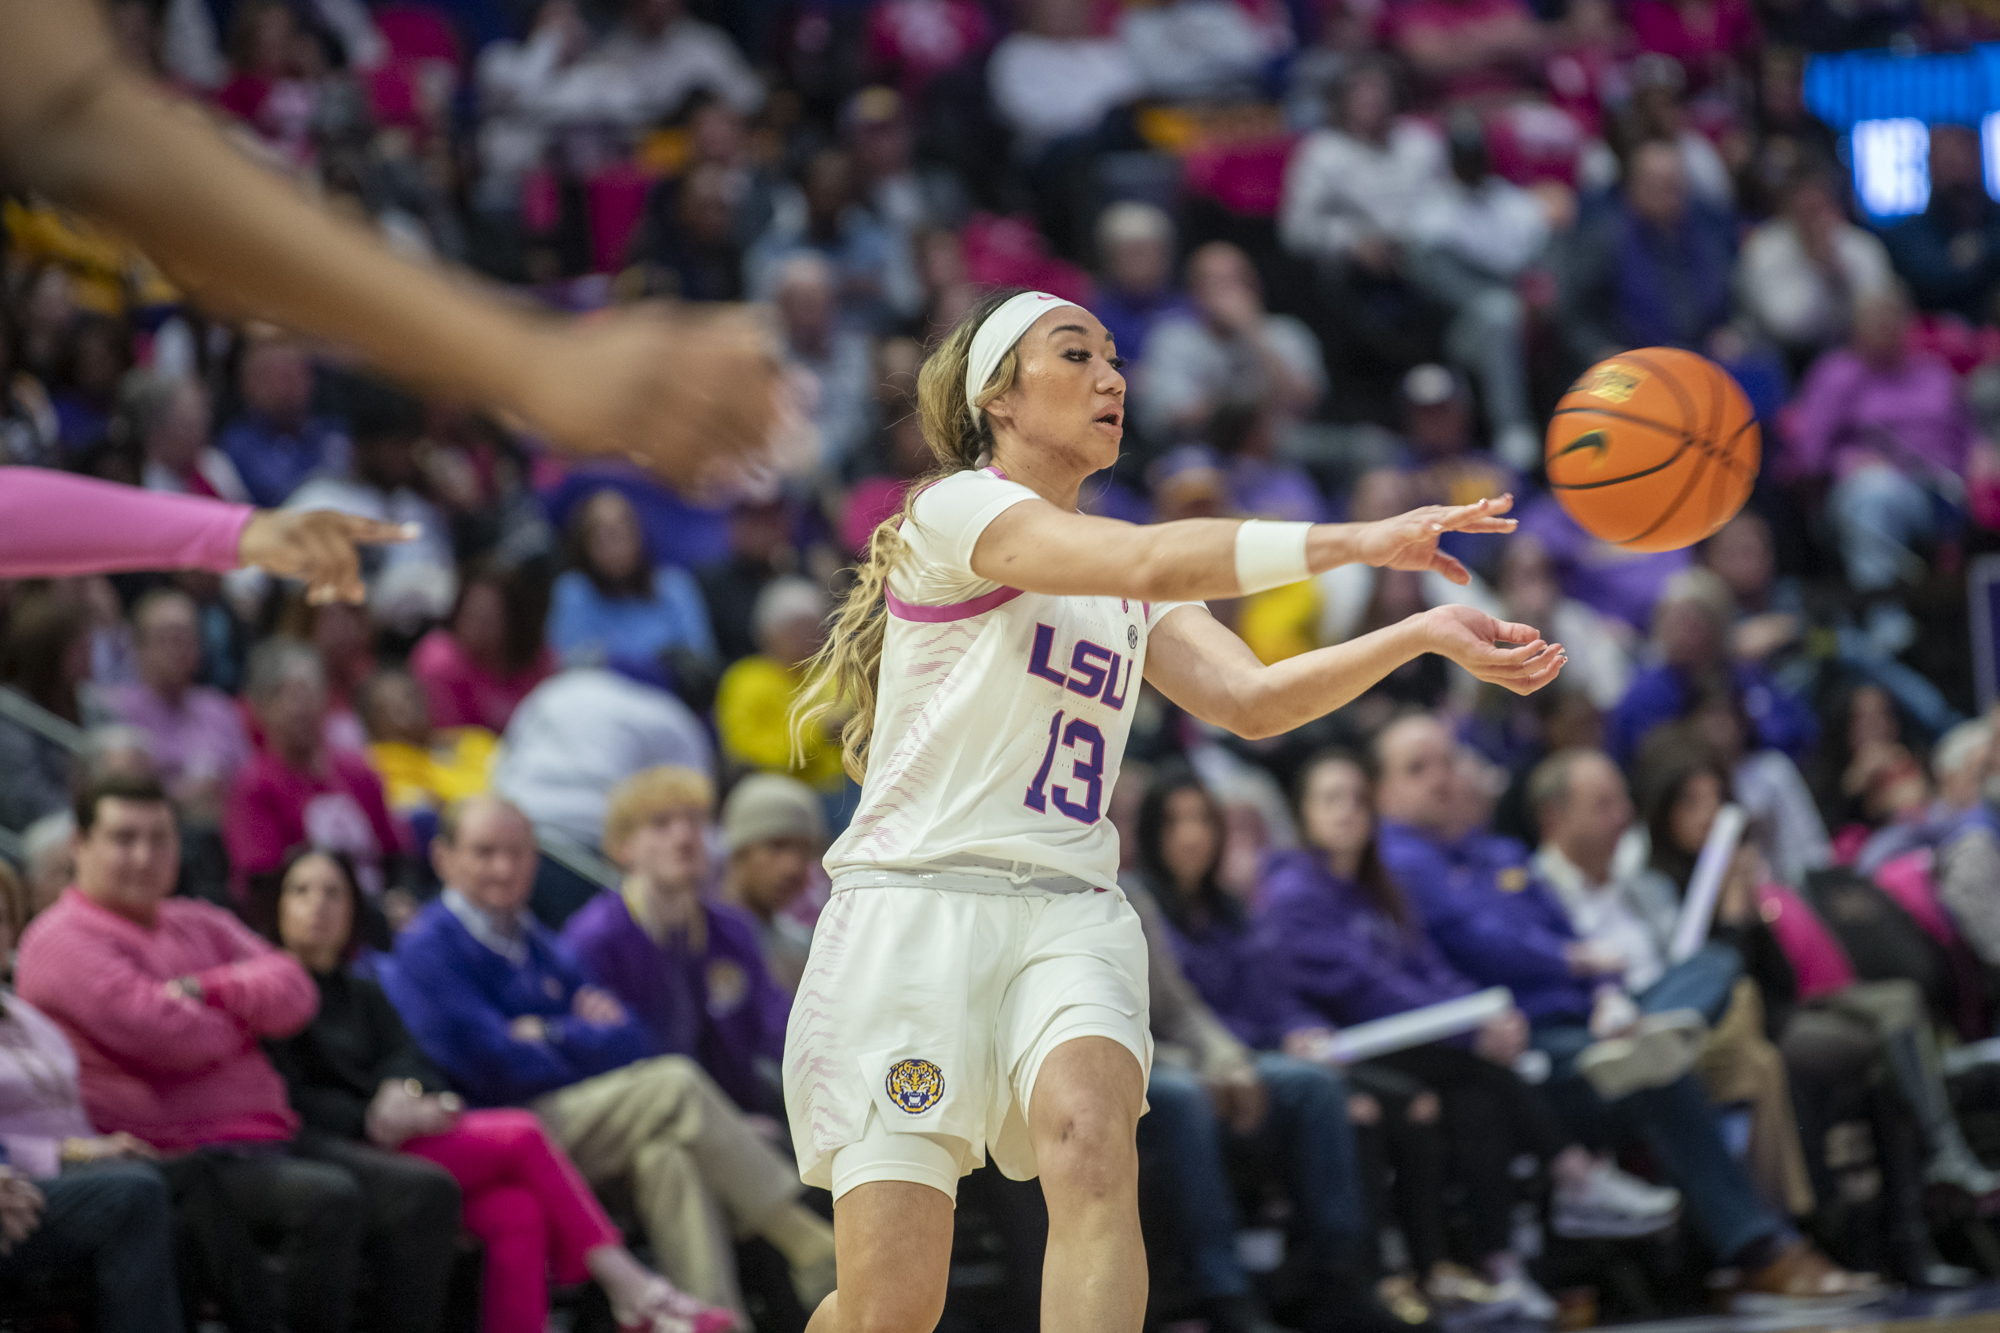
(977, 982)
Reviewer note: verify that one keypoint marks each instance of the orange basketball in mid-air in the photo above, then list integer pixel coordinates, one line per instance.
(1653, 449)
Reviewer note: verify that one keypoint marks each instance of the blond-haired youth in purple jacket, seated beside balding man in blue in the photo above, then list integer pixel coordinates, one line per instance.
(689, 972)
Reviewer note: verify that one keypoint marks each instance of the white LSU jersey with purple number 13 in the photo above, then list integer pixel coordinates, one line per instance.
(1001, 716)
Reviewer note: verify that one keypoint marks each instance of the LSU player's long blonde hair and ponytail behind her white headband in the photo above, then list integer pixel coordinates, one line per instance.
(841, 678)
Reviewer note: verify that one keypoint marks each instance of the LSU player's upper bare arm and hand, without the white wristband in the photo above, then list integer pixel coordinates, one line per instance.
(1043, 549)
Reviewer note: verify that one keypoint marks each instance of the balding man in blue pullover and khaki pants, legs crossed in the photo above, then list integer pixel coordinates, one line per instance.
(505, 1012)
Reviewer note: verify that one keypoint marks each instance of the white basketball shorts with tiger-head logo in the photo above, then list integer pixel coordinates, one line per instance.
(925, 1018)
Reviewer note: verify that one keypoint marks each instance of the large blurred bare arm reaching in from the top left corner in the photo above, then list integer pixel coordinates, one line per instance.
(673, 391)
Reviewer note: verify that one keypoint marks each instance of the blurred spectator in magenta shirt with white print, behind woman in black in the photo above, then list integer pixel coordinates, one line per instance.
(299, 792)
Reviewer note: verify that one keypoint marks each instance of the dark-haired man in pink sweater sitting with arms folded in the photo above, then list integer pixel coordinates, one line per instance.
(167, 1038)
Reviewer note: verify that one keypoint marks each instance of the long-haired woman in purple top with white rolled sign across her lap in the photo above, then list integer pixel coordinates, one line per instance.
(1353, 950)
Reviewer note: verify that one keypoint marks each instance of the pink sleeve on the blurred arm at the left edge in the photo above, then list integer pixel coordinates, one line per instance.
(53, 523)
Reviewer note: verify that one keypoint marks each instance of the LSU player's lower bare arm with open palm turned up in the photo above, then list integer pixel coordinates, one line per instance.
(1215, 676)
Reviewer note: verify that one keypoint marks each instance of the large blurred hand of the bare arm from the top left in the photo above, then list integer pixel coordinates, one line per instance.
(689, 393)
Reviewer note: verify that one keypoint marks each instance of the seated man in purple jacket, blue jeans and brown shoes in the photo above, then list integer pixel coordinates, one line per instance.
(1499, 926)
